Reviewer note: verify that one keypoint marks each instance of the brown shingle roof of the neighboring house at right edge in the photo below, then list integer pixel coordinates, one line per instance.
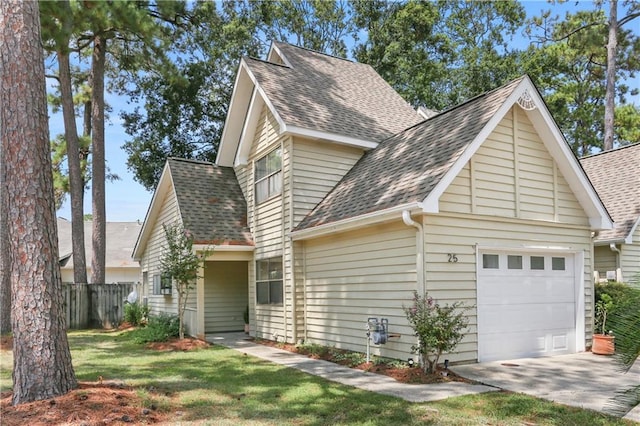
(616, 177)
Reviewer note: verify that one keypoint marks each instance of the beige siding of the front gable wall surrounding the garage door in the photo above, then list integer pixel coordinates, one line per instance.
(511, 176)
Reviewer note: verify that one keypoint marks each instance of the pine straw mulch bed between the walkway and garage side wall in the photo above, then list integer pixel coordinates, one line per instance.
(403, 374)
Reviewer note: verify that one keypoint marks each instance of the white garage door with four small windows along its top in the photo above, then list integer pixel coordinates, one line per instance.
(526, 305)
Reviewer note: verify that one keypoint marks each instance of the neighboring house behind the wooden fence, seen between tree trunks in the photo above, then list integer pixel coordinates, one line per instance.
(119, 266)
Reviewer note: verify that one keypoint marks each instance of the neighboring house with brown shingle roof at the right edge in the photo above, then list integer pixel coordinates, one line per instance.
(616, 178)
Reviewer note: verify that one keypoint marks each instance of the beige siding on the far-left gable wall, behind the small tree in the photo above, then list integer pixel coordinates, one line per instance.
(150, 261)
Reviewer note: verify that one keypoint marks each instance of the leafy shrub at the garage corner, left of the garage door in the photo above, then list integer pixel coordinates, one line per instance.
(439, 328)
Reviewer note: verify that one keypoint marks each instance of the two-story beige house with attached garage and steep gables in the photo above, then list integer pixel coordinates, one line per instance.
(354, 201)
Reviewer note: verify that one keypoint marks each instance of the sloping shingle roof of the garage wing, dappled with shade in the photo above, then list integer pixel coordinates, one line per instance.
(406, 167)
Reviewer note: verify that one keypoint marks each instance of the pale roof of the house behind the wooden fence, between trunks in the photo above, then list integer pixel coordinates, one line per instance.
(121, 238)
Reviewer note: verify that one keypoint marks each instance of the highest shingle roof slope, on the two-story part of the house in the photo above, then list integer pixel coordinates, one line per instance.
(328, 94)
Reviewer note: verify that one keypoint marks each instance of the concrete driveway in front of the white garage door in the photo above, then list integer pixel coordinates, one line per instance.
(582, 380)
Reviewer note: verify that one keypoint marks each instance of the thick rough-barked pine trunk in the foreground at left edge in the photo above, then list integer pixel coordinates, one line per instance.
(42, 361)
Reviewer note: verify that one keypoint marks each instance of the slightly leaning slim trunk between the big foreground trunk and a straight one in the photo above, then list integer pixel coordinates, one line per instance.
(76, 177)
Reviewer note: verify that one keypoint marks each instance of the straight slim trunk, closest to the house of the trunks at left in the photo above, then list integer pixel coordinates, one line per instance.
(98, 161)
